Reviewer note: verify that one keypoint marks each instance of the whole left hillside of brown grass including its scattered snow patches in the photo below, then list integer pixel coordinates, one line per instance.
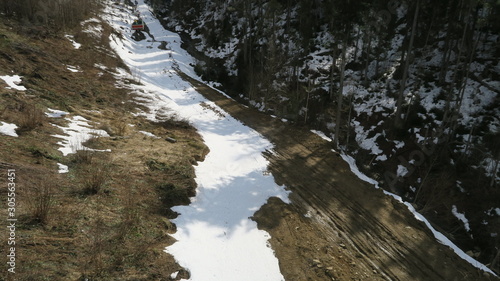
(95, 207)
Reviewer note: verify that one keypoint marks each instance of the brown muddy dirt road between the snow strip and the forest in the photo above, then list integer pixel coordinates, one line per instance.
(337, 226)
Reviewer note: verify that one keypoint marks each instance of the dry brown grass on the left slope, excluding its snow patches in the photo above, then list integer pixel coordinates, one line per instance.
(103, 220)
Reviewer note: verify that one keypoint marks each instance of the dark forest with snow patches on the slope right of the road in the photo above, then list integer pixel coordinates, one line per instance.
(317, 62)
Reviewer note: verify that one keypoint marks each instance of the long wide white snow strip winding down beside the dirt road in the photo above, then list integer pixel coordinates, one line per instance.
(216, 239)
